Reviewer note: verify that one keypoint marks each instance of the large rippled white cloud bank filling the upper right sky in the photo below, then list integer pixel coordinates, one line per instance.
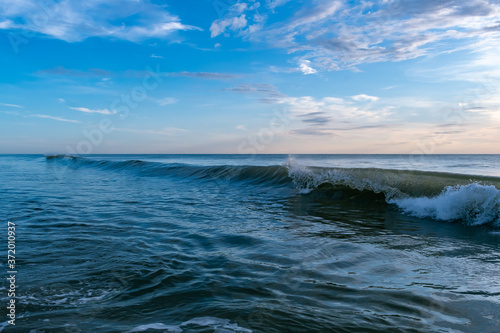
(334, 35)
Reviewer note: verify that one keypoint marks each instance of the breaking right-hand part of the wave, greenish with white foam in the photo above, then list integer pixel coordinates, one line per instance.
(473, 200)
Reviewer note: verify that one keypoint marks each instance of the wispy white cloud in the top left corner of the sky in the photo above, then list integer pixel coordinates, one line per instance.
(72, 20)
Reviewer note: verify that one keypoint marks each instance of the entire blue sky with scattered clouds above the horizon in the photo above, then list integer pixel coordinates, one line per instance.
(249, 76)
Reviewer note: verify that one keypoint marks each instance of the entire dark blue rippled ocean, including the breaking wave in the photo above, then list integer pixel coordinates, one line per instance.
(251, 243)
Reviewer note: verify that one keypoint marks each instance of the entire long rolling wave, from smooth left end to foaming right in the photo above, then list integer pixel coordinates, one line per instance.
(474, 200)
